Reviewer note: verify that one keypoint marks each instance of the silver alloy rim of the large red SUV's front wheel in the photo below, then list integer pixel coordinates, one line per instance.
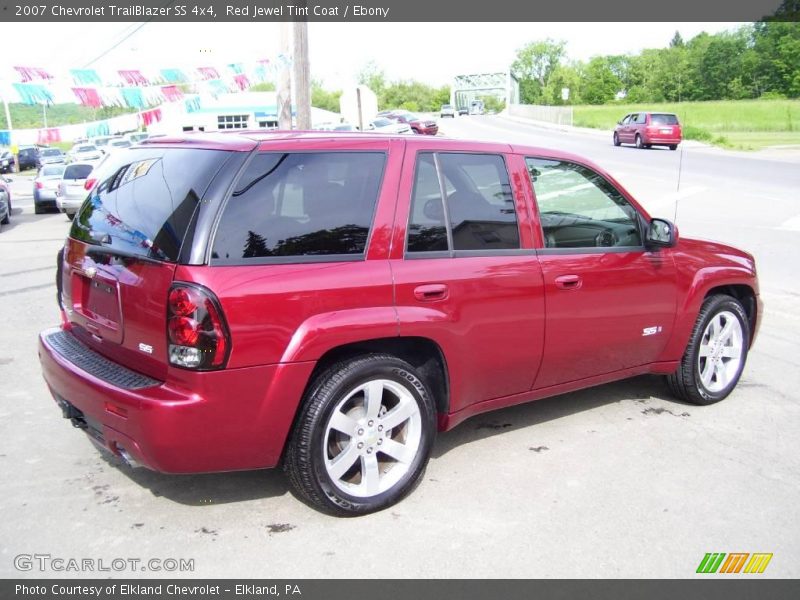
(720, 353)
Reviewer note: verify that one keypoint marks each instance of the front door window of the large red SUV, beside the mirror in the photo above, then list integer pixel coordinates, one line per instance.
(578, 208)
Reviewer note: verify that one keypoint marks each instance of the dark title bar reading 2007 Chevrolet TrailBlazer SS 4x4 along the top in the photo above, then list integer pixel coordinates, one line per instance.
(333, 11)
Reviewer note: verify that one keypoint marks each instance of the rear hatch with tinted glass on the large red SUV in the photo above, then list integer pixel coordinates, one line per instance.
(122, 250)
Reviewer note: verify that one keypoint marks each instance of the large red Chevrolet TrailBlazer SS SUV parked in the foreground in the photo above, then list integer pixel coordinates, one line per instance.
(328, 303)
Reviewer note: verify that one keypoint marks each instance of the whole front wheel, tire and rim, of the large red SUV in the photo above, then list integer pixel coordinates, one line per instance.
(716, 353)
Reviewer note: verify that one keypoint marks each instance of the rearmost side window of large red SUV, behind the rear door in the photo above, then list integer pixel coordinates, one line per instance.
(307, 204)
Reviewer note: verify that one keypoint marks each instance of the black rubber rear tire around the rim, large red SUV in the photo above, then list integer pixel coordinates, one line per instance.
(304, 461)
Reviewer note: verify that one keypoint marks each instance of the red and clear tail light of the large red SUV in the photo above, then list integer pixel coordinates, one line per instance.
(197, 334)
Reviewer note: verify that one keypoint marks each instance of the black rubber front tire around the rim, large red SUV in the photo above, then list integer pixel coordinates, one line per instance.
(685, 382)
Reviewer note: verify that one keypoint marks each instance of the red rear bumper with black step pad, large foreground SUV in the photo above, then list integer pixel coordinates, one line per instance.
(195, 422)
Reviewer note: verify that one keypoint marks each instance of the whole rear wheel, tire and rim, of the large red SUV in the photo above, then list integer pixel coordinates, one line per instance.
(363, 437)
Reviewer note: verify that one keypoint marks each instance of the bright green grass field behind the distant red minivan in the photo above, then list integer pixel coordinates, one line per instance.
(741, 124)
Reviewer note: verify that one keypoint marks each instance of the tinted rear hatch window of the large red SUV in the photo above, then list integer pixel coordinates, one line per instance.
(144, 200)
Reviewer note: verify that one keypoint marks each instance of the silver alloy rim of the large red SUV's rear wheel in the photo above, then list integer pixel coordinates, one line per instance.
(372, 438)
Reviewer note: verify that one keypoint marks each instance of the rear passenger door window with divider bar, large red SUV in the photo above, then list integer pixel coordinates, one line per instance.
(480, 213)
